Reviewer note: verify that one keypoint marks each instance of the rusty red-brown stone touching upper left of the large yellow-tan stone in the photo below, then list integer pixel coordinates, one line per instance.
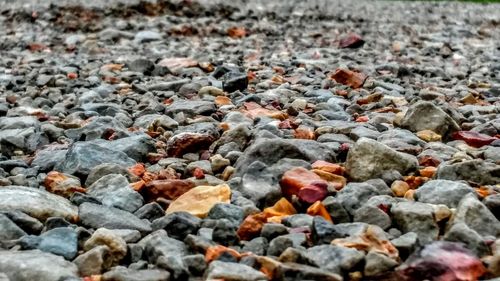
(168, 189)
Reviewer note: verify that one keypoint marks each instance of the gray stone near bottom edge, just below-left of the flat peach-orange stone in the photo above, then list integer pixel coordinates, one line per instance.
(334, 259)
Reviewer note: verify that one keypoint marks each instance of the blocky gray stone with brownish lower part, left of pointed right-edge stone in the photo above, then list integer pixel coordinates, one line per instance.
(416, 217)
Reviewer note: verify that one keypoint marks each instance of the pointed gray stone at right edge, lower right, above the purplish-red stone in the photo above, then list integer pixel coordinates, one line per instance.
(476, 216)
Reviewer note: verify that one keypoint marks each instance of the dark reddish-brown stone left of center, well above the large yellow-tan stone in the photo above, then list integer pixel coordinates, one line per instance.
(183, 143)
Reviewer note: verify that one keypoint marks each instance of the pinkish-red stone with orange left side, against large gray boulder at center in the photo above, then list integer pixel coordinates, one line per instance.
(297, 178)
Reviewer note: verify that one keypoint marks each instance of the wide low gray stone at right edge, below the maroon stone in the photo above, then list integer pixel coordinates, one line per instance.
(476, 171)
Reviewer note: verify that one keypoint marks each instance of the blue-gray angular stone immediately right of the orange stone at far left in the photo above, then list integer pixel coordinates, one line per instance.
(113, 190)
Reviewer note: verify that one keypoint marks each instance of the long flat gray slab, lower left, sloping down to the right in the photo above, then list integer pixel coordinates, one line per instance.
(96, 216)
